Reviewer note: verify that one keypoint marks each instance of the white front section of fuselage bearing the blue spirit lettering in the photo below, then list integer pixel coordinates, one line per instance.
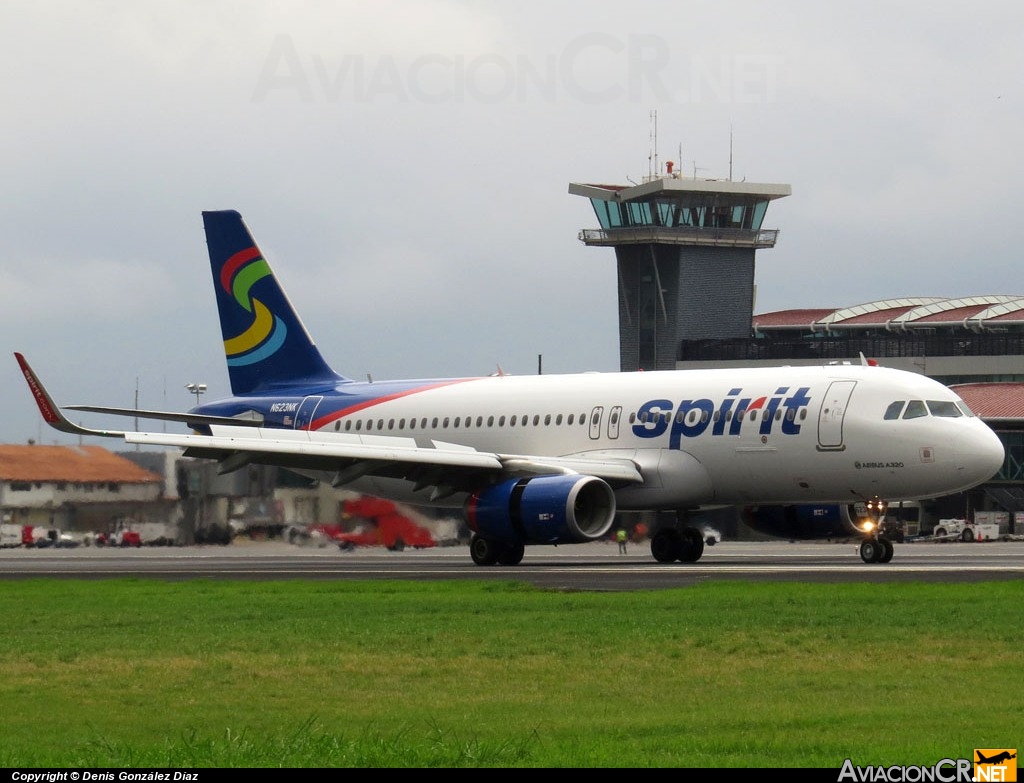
(708, 438)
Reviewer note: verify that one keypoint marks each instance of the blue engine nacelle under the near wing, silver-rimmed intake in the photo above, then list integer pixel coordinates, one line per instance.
(560, 509)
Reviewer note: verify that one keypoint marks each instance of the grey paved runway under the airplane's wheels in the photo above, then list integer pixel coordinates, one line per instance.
(584, 568)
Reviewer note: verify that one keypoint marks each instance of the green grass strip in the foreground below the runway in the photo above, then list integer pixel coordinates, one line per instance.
(139, 673)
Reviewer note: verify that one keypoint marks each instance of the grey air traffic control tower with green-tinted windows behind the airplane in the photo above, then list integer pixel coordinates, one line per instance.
(685, 248)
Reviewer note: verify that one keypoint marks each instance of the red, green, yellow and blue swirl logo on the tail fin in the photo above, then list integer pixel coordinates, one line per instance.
(267, 334)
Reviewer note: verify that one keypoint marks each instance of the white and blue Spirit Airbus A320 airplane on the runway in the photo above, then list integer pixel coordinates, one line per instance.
(552, 459)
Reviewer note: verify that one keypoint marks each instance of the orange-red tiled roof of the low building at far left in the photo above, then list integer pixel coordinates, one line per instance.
(76, 464)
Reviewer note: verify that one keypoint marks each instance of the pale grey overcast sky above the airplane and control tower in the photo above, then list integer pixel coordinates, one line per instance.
(405, 167)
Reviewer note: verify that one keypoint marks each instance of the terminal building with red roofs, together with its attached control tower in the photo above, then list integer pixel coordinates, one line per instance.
(686, 264)
